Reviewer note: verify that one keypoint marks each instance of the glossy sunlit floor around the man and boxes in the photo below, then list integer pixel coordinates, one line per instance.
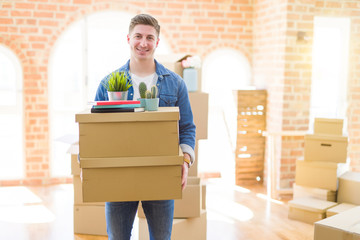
(234, 213)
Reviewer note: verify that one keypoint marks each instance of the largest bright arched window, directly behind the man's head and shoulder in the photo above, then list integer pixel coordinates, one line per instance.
(87, 51)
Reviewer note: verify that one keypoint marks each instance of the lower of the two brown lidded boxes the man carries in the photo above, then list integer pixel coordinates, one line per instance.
(131, 178)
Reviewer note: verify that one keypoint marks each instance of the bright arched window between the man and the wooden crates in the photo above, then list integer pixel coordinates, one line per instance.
(223, 71)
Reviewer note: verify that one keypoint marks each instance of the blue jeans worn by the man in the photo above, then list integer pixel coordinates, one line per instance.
(120, 218)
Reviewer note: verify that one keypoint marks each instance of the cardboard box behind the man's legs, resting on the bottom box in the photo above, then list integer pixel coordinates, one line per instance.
(190, 204)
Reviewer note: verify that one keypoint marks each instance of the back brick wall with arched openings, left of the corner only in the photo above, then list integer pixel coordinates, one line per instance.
(31, 27)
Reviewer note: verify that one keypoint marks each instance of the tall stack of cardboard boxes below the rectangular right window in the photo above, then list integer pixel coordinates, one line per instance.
(317, 175)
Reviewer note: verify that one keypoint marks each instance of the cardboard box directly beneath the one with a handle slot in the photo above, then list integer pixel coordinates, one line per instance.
(319, 174)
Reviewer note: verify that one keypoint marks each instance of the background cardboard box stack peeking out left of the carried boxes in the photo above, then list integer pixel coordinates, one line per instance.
(89, 218)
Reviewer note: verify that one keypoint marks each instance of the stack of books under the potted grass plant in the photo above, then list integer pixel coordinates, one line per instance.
(116, 106)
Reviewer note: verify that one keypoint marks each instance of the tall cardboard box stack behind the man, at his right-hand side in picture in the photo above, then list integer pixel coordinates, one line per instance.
(190, 211)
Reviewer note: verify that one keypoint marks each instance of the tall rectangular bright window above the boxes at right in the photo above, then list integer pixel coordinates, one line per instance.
(330, 68)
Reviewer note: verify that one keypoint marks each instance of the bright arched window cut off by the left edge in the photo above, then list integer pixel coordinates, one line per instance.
(11, 120)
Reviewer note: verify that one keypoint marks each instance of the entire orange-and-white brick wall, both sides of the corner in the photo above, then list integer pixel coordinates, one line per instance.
(265, 31)
